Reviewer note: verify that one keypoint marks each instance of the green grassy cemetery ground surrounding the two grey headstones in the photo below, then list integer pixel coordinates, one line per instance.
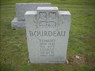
(81, 47)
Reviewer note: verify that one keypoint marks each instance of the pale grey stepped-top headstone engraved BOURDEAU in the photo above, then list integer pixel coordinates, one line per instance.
(47, 34)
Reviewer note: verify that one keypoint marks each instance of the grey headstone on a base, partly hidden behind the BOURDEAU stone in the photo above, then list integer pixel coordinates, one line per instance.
(21, 8)
